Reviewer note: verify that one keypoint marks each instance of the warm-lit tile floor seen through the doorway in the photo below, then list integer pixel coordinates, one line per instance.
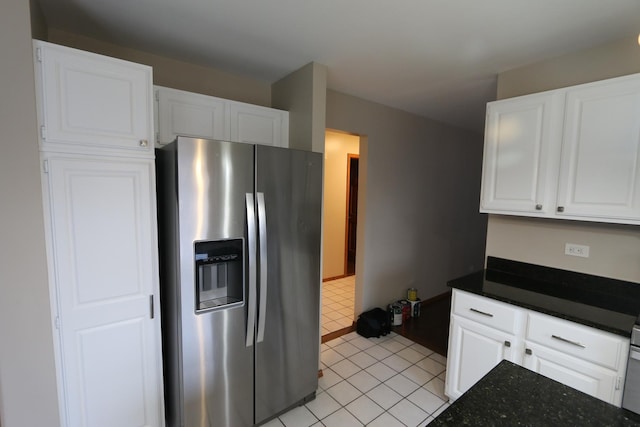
(337, 304)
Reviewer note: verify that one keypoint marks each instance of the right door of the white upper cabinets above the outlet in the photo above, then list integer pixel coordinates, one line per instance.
(600, 169)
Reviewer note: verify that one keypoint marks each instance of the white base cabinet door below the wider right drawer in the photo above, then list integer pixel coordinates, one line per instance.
(576, 373)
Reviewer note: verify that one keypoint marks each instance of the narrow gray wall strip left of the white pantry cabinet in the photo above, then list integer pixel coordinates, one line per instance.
(28, 394)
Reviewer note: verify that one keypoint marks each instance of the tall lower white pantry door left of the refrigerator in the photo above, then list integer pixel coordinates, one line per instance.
(103, 240)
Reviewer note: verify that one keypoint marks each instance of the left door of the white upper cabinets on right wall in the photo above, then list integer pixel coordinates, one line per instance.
(519, 135)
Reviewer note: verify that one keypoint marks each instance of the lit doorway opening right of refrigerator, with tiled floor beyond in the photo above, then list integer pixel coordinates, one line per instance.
(341, 170)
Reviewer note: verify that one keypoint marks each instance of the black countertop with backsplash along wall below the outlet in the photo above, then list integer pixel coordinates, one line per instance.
(607, 304)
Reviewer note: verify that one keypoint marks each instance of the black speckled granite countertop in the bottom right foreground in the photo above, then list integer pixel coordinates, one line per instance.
(510, 395)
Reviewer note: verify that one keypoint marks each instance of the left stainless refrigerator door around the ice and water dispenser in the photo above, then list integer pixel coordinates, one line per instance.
(217, 380)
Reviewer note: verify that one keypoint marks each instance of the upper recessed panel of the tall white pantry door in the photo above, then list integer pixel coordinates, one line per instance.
(102, 221)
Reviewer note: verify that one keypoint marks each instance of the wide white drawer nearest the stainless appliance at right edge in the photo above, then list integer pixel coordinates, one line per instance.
(587, 343)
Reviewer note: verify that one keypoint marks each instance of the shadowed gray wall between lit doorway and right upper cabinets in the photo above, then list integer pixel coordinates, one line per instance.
(418, 220)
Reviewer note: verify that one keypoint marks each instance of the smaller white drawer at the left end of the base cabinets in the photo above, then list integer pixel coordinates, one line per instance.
(489, 312)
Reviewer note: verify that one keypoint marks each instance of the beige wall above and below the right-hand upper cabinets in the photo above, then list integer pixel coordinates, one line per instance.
(614, 249)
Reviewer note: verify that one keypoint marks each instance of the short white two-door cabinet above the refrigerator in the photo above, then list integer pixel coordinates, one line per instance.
(202, 116)
